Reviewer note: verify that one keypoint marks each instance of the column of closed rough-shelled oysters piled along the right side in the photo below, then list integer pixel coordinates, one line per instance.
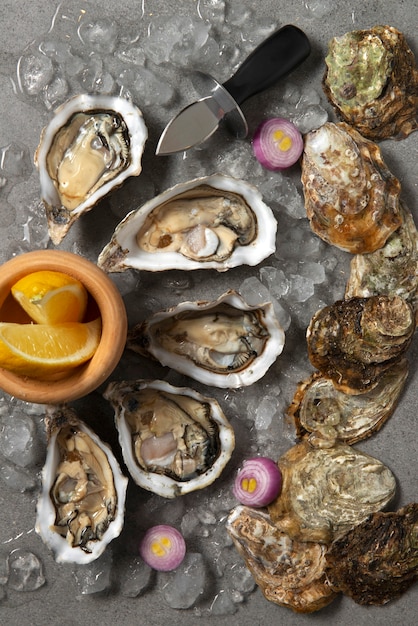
(325, 533)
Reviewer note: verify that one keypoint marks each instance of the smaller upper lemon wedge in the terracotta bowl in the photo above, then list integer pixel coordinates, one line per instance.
(51, 297)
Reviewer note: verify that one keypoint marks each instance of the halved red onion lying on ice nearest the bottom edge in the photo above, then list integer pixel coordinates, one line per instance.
(163, 548)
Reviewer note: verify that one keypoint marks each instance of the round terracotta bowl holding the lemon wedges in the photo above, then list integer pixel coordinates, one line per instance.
(104, 300)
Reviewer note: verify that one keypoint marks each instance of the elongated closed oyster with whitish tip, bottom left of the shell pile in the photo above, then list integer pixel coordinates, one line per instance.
(290, 573)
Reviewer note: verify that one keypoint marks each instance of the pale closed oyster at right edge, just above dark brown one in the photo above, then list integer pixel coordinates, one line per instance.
(392, 270)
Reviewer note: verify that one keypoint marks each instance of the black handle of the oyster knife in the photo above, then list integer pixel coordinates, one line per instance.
(276, 57)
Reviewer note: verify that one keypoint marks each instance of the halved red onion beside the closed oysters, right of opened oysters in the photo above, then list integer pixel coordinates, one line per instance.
(258, 482)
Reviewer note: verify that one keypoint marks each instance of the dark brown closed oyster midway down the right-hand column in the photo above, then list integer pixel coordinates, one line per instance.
(354, 341)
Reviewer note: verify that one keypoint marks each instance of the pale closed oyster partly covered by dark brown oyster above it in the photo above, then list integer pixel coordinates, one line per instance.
(330, 415)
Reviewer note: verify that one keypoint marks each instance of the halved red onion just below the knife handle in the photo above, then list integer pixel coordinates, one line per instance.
(277, 143)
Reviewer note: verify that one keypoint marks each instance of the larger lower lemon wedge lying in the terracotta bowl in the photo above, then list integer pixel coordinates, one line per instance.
(39, 350)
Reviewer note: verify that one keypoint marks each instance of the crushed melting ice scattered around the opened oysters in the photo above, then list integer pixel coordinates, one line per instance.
(84, 52)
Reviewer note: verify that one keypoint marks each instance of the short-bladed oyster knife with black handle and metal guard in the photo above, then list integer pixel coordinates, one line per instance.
(273, 59)
